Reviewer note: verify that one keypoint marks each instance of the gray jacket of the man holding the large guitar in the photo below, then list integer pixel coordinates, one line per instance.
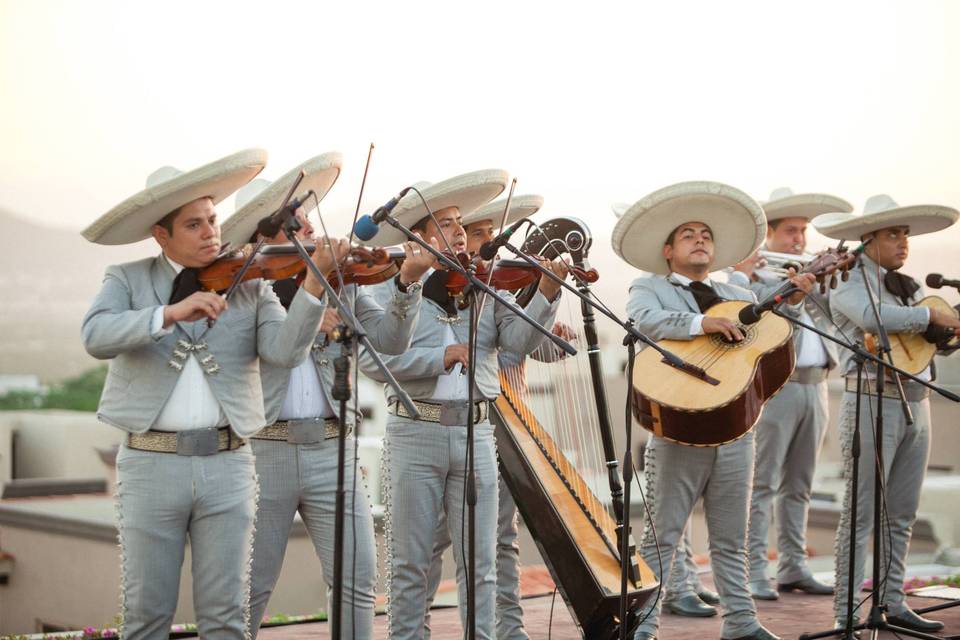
(662, 309)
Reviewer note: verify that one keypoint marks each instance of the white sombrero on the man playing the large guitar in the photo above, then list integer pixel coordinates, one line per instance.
(735, 218)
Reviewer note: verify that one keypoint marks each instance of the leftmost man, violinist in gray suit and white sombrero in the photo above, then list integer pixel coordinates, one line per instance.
(188, 394)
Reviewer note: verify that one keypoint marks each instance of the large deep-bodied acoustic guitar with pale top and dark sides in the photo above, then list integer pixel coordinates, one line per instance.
(723, 405)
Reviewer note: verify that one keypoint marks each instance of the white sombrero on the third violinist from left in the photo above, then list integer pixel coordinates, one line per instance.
(467, 192)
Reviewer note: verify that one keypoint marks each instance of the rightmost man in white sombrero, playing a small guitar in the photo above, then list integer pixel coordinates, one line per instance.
(906, 448)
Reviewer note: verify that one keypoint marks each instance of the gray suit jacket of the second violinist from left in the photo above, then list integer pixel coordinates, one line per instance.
(390, 330)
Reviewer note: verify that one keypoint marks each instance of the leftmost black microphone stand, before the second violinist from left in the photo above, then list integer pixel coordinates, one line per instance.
(350, 330)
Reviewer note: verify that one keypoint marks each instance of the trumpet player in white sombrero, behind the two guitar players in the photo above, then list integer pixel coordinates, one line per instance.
(791, 428)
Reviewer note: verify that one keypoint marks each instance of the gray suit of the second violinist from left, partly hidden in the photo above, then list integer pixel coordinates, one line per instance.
(303, 477)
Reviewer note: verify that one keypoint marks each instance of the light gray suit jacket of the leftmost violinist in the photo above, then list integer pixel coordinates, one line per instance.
(140, 378)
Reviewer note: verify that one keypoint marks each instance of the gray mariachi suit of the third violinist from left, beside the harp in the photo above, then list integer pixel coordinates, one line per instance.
(424, 462)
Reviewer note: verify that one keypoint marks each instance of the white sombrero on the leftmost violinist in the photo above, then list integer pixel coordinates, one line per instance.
(168, 189)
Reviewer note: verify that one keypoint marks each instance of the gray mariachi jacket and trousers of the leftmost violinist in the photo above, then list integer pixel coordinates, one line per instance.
(163, 497)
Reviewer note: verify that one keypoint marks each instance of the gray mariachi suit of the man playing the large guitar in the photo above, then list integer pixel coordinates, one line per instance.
(678, 475)
